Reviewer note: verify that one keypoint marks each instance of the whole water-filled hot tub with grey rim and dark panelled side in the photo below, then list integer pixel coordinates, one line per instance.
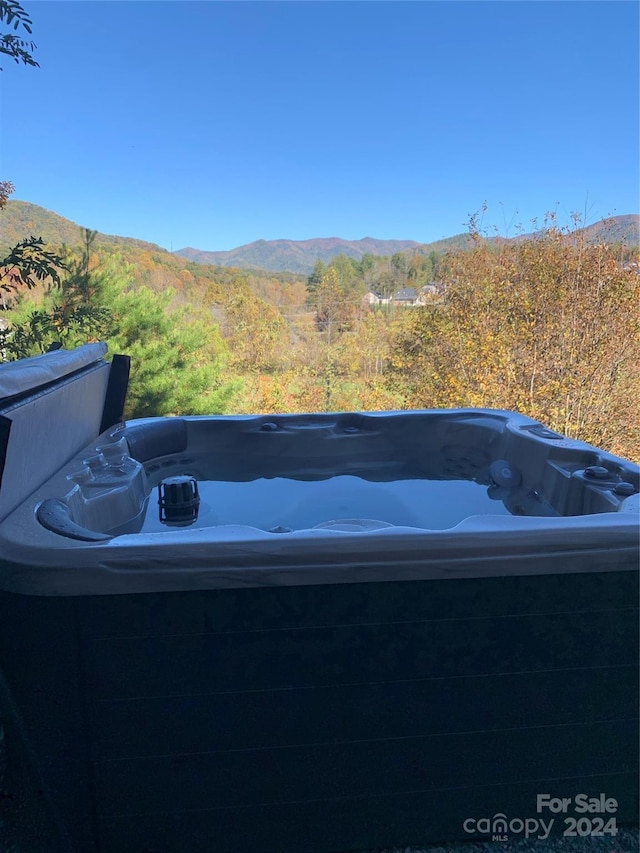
(319, 632)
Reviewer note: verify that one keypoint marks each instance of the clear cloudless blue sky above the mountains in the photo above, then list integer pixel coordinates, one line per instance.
(213, 124)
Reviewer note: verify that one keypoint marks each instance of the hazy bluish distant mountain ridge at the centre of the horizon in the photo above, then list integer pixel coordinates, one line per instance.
(296, 255)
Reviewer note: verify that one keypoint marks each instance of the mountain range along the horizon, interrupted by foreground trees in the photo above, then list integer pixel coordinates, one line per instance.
(22, 219)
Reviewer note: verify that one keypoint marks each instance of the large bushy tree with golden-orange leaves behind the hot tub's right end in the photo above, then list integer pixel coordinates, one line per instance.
(547, 326)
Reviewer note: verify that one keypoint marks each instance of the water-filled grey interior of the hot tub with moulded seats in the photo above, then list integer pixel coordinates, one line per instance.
(426, 470)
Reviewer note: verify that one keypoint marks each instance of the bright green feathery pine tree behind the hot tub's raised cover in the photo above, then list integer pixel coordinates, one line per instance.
(177, 356)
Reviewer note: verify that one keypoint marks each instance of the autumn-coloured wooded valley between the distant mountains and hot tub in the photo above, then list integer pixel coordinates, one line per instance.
(547, 325)
